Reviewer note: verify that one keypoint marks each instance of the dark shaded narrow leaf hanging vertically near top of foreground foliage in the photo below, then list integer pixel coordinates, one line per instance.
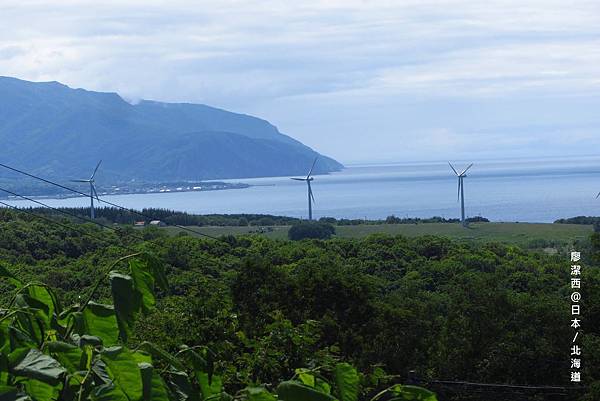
(126, 300)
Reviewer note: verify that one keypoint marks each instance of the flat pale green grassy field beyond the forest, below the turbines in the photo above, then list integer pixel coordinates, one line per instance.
(524, 234)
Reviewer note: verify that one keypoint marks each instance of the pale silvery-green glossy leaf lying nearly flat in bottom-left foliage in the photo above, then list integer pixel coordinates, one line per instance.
(33, 364)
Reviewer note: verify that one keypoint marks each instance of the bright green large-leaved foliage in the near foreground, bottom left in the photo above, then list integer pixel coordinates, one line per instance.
(50, 353)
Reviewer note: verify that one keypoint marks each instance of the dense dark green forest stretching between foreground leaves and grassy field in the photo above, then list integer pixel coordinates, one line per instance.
(401, 310)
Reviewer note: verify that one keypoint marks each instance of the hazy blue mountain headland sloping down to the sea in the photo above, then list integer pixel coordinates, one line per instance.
(59, 132)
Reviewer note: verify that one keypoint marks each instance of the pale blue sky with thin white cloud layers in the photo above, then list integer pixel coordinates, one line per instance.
(361, 81)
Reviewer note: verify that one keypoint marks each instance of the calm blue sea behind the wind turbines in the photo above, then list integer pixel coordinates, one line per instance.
(540, 190)
